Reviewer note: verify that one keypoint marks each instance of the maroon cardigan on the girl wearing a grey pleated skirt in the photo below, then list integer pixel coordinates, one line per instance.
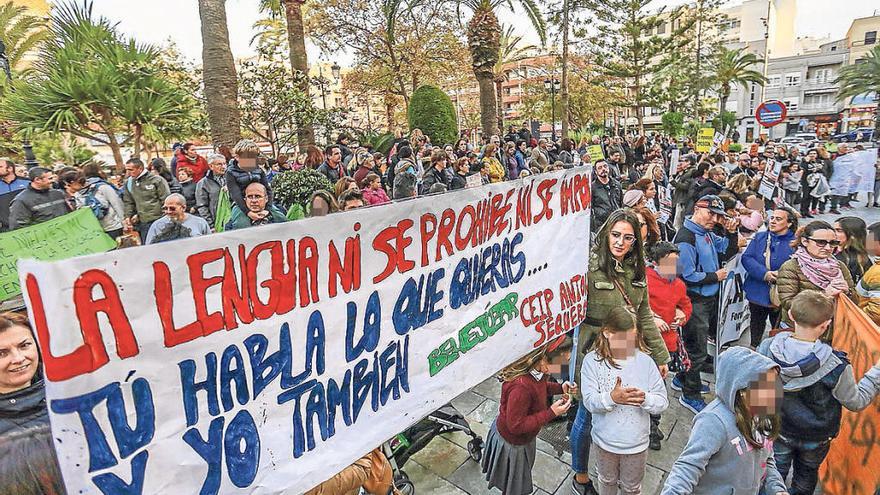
(524, 411)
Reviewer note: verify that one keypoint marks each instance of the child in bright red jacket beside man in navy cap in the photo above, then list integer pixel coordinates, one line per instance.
(667, 295)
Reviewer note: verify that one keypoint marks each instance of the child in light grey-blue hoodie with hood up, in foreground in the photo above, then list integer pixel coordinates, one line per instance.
(730, 449)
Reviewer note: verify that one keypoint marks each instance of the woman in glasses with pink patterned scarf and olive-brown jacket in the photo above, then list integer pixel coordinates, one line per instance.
(813, 266)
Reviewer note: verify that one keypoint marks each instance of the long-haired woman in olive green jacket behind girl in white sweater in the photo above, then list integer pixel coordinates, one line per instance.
(616, 278)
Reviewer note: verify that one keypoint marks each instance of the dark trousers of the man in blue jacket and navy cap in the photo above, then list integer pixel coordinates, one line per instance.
(696, 332)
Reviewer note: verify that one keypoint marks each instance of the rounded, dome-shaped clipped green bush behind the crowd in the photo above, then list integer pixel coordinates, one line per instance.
(431, 110)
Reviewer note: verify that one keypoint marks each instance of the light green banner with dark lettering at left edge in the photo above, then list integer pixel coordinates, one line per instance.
(64, 237)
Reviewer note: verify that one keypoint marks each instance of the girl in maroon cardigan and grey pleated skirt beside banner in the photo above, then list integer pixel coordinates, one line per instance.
(509, 454)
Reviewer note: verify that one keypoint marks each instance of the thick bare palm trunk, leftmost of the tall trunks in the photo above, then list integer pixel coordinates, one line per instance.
(221, 82)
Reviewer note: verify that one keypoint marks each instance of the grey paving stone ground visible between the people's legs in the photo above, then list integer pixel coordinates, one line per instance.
(444, 467)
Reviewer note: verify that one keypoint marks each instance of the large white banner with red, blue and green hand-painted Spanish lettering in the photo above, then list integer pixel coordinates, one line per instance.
(268, 359)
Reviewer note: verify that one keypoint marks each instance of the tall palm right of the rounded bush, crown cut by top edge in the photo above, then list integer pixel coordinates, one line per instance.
(484, 42)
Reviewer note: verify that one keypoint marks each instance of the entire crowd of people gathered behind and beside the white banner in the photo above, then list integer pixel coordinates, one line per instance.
(661, 242)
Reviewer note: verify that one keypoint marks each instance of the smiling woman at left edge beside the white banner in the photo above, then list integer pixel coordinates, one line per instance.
(22, 396)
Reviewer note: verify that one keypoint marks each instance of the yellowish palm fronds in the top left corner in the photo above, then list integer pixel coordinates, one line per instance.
(21, 34)
